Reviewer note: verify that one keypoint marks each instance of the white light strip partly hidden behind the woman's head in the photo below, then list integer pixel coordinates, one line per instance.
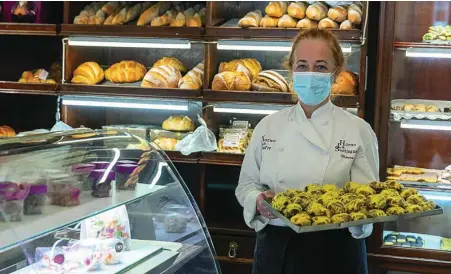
(279, 46)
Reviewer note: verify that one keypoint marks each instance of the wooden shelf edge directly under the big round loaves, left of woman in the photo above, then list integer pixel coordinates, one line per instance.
(129, 91)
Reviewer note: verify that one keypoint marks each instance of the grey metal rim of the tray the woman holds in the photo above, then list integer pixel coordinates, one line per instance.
(303, 229)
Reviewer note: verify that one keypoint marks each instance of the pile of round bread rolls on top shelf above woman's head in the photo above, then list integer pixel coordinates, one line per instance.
(301, 15)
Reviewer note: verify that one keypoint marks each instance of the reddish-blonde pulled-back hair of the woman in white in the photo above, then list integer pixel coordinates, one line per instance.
(322, 35)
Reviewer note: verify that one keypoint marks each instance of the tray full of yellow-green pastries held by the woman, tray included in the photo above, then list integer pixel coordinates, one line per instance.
(327, 207)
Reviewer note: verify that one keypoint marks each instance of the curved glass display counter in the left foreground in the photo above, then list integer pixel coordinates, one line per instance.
(98, 201)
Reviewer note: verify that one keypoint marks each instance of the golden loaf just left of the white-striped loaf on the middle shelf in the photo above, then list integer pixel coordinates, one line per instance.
(231, 80)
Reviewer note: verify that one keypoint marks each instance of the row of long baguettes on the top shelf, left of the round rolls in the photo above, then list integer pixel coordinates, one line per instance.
(156, 14)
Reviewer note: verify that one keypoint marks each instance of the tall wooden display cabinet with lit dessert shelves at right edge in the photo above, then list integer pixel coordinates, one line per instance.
(414, 126)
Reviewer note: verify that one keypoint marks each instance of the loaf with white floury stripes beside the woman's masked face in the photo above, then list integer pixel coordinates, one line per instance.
(269, 80)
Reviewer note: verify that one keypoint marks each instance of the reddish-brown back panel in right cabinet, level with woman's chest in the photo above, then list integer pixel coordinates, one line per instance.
(421, 148)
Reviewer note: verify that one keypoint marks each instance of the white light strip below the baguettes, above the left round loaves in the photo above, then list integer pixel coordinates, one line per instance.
(129, 43)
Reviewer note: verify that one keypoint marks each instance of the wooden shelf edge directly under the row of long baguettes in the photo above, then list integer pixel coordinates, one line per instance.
(131, 31)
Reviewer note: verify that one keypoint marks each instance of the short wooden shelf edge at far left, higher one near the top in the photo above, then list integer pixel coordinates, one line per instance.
(28, 29)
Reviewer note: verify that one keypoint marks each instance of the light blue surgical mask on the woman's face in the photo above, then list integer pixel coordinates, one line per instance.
(312, 87)
